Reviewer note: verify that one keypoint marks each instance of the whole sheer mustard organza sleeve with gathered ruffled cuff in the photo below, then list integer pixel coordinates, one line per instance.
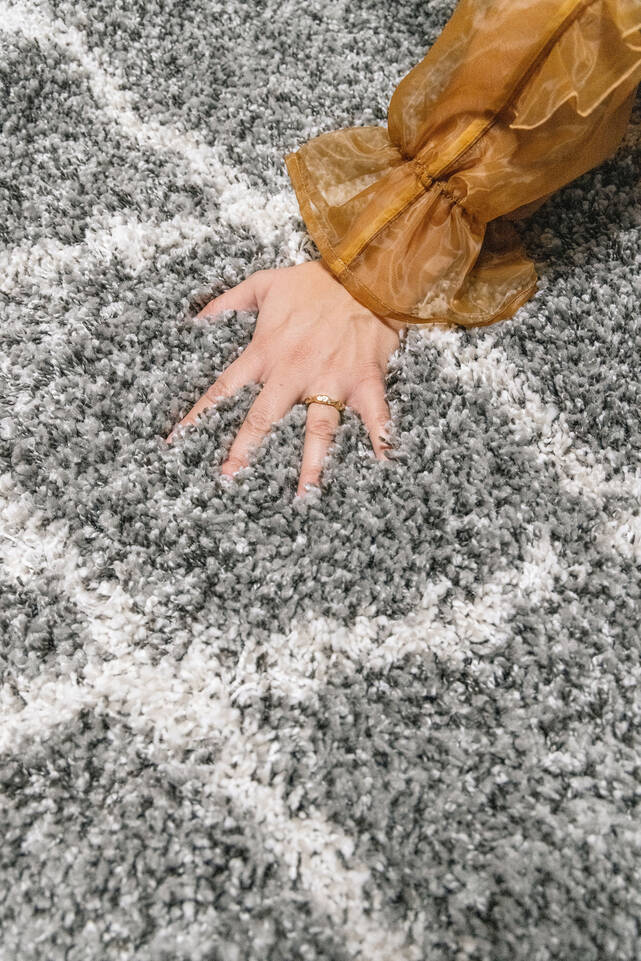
(515, 99)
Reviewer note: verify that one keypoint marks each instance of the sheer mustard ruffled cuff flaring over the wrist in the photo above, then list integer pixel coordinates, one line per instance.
(406, 250)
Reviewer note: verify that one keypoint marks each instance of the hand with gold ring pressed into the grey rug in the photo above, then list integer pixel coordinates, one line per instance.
(311, 337)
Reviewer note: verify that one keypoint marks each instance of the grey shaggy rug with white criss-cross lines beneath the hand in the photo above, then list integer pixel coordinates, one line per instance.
(395, 720)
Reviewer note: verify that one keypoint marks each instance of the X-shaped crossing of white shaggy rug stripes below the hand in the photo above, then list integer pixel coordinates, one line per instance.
(196, 700)
